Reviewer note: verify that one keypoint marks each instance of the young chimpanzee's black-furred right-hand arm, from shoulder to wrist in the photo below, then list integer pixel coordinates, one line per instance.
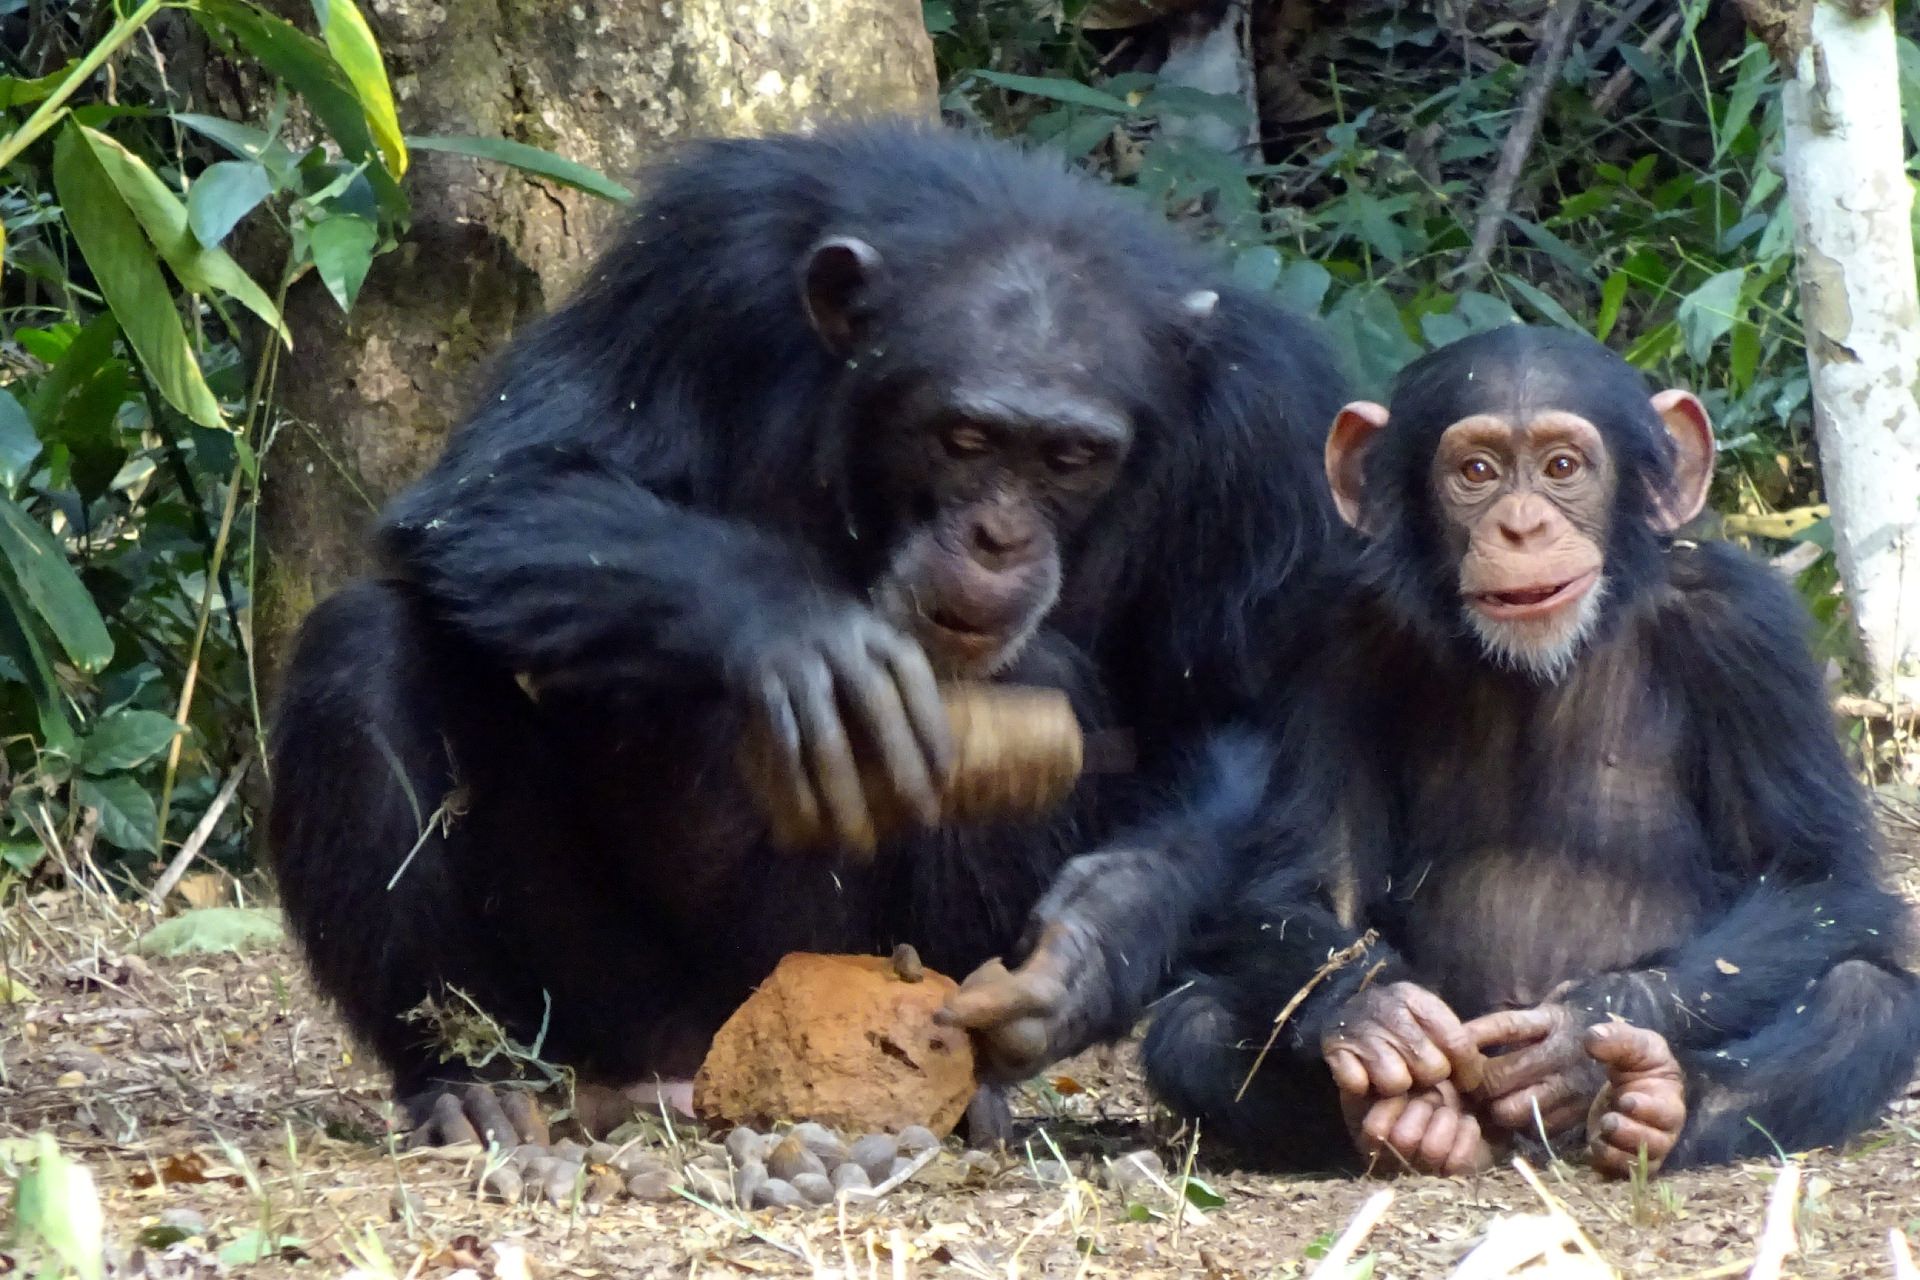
(1781, 809)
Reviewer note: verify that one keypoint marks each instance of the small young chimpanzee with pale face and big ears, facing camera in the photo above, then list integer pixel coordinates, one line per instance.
(1581, 782)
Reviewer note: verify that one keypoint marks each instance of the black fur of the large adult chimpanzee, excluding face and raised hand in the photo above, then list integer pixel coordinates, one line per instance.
(669, 463)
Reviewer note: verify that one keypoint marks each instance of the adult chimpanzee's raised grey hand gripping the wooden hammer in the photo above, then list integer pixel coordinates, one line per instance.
(804, 676)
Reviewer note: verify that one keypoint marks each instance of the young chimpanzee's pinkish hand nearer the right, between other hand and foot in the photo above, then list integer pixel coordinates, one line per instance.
(1545, 1066)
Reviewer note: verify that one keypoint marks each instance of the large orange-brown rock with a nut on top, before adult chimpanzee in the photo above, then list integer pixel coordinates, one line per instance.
(844, 1041)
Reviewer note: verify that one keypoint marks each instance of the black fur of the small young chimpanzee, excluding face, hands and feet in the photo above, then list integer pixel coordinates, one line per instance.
(1671, 828)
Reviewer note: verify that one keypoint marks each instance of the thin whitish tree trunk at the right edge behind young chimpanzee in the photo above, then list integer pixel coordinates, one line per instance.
(1854, 212)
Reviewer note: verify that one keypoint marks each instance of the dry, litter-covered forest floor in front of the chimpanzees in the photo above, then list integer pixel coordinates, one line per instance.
(216, 1099)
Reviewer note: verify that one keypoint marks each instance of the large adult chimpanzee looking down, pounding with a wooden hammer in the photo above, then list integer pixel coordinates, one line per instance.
(836, 417)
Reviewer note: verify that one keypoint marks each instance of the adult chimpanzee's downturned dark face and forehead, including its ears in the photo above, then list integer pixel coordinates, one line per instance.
(994, 419)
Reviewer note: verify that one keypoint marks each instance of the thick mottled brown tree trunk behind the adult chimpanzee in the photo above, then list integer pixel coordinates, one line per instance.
(370, 398)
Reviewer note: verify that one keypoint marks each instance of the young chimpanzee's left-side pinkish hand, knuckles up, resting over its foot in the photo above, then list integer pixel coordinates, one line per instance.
(1395, 1039)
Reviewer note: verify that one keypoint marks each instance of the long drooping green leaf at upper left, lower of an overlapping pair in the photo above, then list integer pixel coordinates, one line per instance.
(130, 277)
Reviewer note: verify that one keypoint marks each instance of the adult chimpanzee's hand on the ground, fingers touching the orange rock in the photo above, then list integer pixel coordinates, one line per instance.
(1026, 1018)
